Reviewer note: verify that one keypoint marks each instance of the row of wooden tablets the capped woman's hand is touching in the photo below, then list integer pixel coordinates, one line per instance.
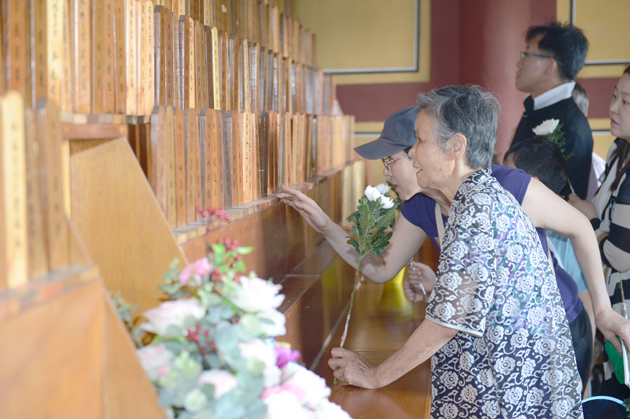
(197, 159)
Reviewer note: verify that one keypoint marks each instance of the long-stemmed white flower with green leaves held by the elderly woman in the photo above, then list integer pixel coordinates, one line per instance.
(373, 220)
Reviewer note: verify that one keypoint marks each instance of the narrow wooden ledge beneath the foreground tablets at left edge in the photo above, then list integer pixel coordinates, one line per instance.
(36, 291)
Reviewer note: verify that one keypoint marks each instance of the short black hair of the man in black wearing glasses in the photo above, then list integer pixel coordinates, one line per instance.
(566, 43)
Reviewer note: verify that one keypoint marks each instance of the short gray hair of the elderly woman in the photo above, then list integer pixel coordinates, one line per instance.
(467, 110)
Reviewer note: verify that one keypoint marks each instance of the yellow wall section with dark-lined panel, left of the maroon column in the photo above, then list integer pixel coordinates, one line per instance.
(370, 34)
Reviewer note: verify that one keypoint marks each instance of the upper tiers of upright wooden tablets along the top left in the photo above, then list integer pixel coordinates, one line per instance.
(125, 56)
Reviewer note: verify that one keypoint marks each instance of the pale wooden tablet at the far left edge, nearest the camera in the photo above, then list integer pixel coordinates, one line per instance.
(13, 211)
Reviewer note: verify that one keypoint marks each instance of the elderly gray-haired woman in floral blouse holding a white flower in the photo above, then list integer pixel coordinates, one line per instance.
(495, 328)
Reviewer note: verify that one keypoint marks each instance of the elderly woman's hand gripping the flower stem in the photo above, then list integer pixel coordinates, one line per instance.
(353, 368)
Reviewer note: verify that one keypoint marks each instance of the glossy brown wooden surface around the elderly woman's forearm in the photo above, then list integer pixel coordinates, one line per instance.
(382, 319)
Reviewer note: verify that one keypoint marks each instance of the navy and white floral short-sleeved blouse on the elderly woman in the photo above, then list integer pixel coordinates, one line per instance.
(513, 356)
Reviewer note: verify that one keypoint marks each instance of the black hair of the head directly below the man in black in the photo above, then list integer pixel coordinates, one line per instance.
(541, 158)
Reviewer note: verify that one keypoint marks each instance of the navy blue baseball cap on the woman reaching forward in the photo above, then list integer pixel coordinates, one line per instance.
(398, 134)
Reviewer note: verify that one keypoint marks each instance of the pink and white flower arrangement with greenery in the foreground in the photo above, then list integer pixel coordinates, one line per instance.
(211, 352)
